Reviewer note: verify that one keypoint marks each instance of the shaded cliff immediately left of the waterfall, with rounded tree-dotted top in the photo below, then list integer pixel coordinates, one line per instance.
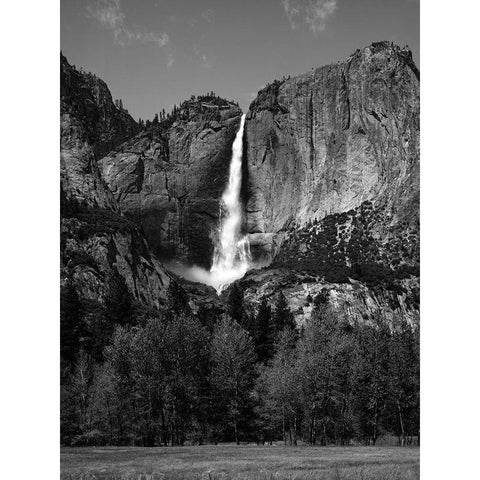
(170, 177)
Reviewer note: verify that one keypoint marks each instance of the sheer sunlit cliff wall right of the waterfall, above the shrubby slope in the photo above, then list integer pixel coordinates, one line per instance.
(331, 139)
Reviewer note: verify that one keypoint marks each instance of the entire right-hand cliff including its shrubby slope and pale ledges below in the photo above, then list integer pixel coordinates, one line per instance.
(333, 185)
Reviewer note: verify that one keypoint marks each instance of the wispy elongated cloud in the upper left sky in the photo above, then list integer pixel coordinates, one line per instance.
(110, 15)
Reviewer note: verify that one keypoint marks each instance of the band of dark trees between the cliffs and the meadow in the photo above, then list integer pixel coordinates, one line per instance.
(178, 377)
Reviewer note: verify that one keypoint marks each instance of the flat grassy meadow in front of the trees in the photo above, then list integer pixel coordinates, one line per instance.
(231, 462)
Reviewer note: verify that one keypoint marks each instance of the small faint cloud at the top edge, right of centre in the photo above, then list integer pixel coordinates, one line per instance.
(313, 13)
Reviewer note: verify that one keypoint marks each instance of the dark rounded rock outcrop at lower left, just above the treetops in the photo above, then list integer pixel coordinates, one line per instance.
(97, 244)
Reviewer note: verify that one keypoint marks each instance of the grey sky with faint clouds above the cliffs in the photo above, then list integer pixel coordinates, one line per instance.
(156, 53)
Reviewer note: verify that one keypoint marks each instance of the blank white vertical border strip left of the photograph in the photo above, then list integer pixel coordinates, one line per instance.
(29, 348)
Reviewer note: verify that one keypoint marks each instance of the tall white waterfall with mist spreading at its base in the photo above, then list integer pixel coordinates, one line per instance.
(231, 256)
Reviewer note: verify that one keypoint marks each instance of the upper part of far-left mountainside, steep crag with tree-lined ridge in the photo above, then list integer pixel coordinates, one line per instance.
(90, 125)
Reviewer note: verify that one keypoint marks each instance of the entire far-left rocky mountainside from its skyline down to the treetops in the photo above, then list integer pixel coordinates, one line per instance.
(97, 241)
